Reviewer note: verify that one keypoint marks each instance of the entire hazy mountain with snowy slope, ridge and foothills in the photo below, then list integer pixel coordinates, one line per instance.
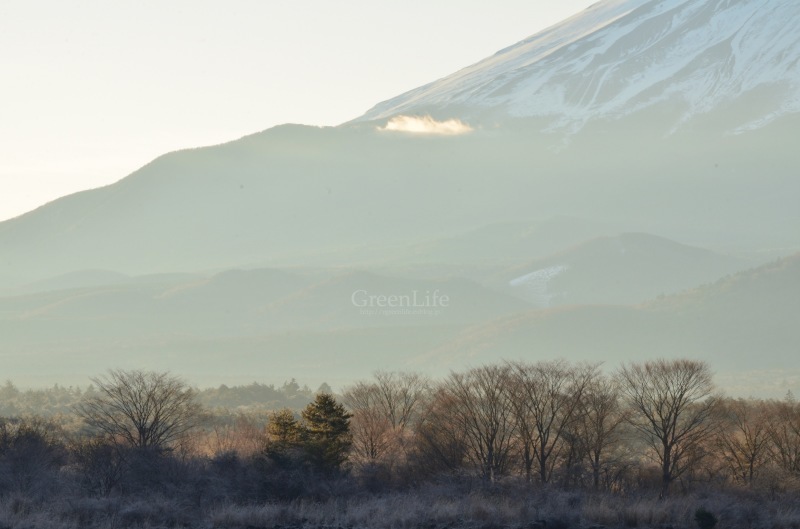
(591, 179)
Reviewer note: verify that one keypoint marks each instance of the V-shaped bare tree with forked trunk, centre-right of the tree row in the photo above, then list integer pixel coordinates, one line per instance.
(546, 397)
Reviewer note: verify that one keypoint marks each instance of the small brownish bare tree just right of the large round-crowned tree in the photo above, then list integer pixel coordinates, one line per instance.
(744, 438)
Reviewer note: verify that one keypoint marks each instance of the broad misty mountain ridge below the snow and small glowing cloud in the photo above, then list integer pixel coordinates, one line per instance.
(302, 196)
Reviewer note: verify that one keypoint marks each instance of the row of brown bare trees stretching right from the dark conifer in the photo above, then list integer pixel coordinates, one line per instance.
(646, 425)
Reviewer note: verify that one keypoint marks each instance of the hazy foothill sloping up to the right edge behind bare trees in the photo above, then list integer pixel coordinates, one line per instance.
(747, 321)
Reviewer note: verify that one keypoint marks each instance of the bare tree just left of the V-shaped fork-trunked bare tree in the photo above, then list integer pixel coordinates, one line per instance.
(481, 405)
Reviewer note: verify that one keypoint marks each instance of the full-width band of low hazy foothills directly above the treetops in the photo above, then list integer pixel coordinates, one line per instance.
(290, 321)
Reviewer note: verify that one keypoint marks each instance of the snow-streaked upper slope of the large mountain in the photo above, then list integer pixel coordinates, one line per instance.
(621, 56)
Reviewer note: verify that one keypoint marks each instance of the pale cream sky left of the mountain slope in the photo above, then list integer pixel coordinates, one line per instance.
(91, 90)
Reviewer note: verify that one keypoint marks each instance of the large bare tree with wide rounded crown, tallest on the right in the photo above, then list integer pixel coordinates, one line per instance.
(672, 405)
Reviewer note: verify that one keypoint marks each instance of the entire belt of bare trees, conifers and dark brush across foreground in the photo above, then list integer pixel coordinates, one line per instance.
(656, 429)
